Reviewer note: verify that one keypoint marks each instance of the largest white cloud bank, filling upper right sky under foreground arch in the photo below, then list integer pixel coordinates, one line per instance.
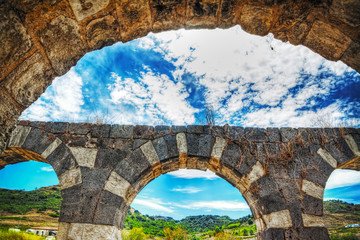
(240, 70)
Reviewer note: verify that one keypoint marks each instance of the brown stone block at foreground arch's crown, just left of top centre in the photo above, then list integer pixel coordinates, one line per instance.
(168, 14)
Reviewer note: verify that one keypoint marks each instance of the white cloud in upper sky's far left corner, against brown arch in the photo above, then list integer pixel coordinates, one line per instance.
(62, 101)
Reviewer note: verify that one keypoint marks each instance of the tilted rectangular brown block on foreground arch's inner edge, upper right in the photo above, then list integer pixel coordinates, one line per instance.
(326, 40)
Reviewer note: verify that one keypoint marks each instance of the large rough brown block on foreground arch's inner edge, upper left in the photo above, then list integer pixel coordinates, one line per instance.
(63, 44)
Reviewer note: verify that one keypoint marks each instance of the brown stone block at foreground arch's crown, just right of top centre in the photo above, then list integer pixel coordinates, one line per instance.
(202, 13)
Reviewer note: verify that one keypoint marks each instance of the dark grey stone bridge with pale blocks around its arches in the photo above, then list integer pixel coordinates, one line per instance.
(281, 173)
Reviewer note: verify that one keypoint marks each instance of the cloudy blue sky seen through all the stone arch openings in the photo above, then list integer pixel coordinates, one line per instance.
(170, 78)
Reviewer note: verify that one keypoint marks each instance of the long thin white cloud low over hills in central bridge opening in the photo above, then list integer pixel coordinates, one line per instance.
(218, 205)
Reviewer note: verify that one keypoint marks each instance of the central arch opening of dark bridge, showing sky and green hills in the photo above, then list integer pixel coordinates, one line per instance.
(183, 193)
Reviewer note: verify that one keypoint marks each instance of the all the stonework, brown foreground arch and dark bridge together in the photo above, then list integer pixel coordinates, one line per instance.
(281, 173)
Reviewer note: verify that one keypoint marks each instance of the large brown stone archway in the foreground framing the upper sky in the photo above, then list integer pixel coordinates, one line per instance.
(43, 39)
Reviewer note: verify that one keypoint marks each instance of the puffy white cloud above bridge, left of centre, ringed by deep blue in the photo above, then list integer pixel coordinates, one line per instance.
(151, 99)
